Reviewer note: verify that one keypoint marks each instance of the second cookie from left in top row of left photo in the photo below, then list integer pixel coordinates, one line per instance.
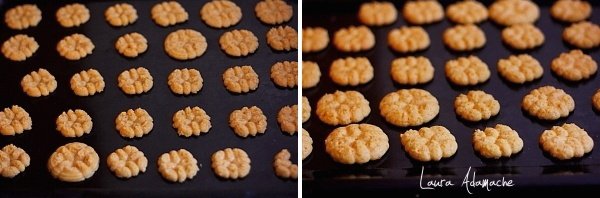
(72, 15)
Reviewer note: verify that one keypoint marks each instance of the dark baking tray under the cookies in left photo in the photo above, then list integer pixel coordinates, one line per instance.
(159, 102)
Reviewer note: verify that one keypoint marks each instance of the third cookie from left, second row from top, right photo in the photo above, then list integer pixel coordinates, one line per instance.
(408, 39)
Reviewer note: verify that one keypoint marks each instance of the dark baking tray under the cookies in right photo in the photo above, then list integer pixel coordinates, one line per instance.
(530, 169)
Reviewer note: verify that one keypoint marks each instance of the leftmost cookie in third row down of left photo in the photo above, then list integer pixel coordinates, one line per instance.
(39, 83)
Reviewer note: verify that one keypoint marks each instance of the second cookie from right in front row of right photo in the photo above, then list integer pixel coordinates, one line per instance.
(497, 142)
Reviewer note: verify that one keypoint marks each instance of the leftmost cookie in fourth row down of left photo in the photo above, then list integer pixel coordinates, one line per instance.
(14, 120)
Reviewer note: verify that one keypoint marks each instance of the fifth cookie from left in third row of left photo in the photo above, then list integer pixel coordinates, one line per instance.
(240, 79)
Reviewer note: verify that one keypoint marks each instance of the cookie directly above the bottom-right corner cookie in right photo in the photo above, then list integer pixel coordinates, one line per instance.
(548, 103)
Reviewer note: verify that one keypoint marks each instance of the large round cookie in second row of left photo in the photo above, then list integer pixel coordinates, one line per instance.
(185, 44)
